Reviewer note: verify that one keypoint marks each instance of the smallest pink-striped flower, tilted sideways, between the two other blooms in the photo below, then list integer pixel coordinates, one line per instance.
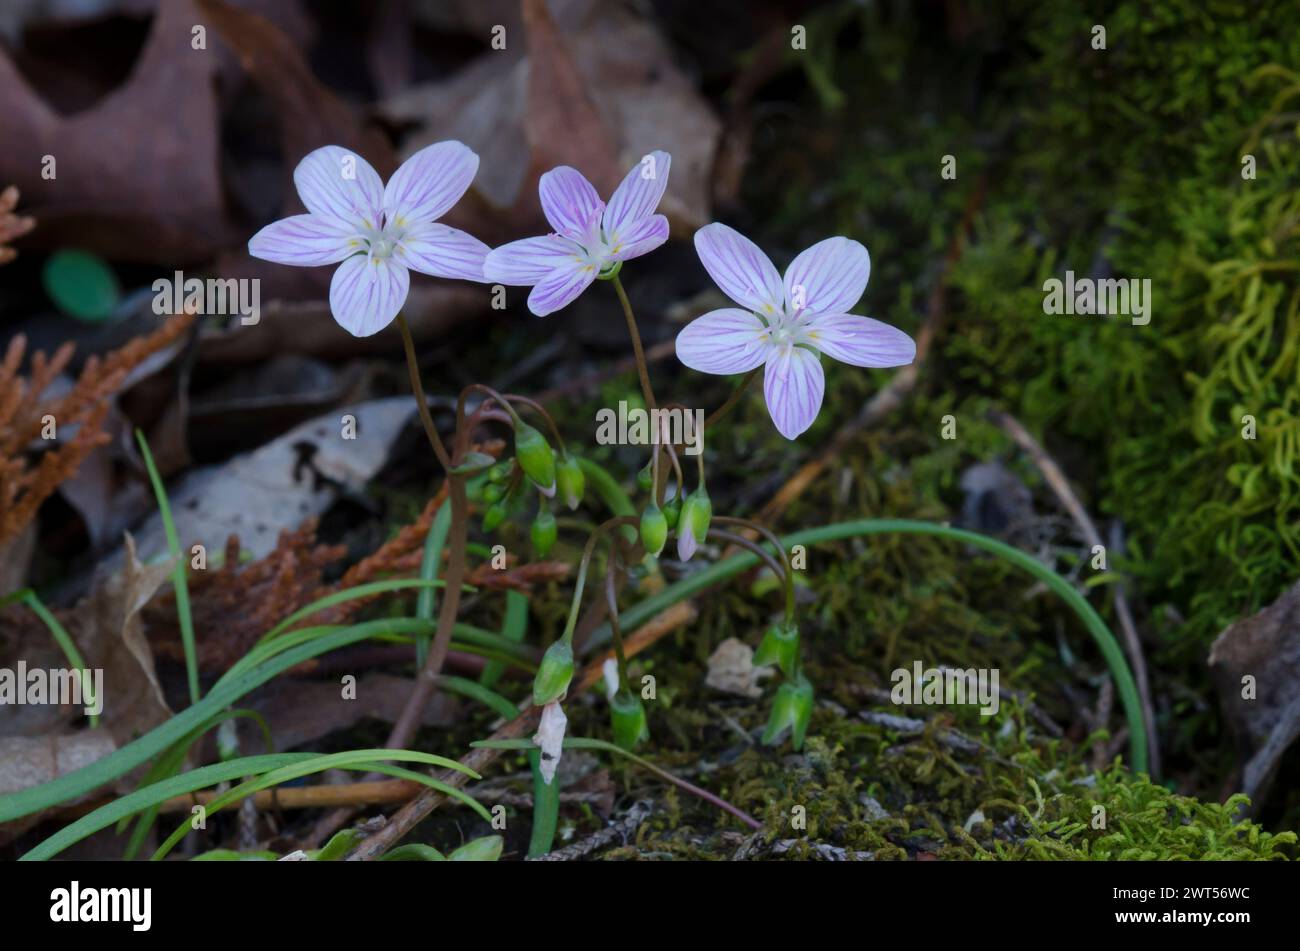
(591, 240)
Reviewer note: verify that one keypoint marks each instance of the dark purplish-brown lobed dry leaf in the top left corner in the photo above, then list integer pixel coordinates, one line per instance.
(154, 193)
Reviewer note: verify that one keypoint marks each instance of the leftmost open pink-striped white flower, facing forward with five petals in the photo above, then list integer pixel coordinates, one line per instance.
(379, 233)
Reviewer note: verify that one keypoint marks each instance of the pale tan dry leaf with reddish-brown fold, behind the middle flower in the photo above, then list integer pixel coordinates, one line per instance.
(599, 98)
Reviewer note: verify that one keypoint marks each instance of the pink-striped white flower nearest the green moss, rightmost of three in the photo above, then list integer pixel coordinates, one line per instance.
(785, 325)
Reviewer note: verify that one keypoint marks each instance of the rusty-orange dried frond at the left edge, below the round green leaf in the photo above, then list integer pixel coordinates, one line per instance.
(24, 418)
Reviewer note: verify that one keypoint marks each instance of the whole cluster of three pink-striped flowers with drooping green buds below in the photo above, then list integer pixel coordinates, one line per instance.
(379, 233)
